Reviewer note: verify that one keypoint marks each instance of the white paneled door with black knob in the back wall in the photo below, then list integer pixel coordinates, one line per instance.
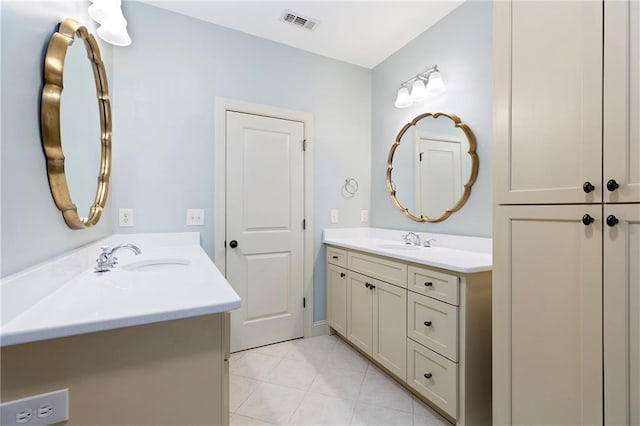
(264, 234)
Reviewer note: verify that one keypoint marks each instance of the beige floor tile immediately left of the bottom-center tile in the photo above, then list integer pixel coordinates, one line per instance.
(271, 403)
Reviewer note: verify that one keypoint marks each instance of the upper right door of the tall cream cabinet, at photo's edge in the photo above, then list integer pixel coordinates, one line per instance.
(622, 100)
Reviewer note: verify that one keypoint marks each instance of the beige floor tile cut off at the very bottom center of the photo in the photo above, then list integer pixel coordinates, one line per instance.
(323, 410)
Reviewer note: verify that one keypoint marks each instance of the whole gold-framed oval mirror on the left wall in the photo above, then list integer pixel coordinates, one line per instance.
(82, 126)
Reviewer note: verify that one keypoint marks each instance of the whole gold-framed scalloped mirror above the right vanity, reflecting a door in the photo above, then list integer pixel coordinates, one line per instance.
(427, 169)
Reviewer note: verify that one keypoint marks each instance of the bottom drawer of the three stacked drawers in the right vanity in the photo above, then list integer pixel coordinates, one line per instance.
(433, 376)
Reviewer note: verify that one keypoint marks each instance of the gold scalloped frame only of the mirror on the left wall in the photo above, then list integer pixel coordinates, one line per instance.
(68, 31)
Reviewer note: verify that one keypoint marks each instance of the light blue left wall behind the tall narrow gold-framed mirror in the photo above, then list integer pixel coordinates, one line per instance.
(31, 226)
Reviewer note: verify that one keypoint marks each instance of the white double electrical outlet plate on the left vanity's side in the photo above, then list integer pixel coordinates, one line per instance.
(38, 410)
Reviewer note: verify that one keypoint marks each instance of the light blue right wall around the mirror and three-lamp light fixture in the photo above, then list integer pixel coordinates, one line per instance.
(460, 44)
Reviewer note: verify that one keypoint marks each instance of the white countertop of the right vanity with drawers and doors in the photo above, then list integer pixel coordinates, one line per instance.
(455, 253)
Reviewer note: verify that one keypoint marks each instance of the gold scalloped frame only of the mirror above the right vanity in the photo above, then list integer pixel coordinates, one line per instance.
(467, 186)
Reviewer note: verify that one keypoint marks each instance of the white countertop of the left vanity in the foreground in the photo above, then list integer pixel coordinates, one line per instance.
(64, 297)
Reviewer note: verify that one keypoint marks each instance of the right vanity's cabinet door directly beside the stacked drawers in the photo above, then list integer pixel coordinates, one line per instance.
(390, 327)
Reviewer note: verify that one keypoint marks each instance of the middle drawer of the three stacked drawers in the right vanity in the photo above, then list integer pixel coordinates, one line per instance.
(433, 324)
